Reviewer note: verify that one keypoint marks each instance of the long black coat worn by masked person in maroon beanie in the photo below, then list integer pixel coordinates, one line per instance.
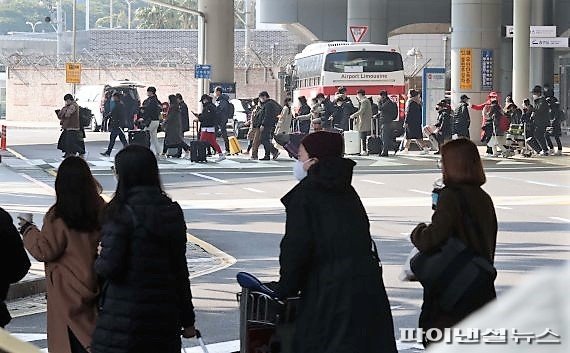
(326, 256)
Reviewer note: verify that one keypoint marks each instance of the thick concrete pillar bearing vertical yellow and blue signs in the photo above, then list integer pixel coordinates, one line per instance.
(475, 25)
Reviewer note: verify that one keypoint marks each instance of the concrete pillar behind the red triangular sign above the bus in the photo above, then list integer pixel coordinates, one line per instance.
(371, 13)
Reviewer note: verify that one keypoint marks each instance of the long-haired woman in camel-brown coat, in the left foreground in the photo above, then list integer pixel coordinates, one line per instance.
(67, 243)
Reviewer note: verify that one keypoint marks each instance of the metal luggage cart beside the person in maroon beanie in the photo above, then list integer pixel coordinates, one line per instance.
(266, 324)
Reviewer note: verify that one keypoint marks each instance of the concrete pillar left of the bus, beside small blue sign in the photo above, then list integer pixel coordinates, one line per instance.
(219, 38)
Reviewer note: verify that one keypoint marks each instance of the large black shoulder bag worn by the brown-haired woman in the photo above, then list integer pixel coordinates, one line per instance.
(454, 272)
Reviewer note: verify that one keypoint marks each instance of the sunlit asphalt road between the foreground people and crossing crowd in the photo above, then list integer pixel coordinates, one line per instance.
(238, 211)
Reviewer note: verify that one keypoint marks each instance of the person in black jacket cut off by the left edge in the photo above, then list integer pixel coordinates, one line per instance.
(13, 261)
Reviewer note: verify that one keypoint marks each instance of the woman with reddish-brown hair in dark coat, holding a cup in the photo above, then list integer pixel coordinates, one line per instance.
(463, 177)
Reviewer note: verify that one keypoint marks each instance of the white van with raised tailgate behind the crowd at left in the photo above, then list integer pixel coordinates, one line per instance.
(92, 98)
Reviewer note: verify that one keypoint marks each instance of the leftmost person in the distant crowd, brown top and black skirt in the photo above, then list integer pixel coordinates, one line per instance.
(70, 139)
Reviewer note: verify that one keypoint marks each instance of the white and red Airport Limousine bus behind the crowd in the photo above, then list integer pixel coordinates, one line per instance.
(324, 67)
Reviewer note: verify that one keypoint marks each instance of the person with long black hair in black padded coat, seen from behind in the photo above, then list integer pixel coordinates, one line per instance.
(146, 300)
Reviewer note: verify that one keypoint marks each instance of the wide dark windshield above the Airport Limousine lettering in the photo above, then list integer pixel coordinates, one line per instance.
(363, 61)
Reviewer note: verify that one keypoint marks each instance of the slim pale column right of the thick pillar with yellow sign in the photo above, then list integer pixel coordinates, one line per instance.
(521, 50)
